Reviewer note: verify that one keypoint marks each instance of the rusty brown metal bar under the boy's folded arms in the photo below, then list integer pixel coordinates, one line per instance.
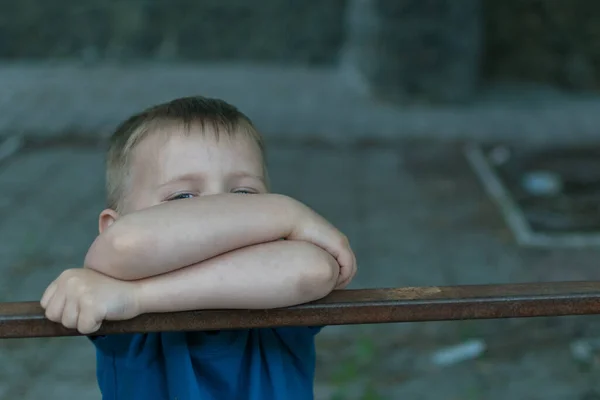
(26, 320)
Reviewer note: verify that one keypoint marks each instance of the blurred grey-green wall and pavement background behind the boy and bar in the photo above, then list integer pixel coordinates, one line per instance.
(422, 128)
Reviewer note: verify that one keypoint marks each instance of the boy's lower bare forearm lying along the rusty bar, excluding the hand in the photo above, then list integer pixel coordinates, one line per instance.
(268, 275)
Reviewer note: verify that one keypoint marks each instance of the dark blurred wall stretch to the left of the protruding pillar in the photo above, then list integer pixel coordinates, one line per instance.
(300, 32)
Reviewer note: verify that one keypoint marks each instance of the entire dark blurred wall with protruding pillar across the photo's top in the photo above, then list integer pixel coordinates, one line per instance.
(429, 51)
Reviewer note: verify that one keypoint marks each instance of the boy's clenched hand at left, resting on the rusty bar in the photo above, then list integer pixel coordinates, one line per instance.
(82, 298)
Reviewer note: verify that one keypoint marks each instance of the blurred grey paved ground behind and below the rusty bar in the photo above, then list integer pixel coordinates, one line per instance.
(416, 216)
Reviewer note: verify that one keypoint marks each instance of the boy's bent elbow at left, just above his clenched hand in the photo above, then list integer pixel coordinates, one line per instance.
(112, 253)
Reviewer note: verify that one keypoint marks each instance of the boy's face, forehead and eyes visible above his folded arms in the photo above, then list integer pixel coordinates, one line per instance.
(195, 164)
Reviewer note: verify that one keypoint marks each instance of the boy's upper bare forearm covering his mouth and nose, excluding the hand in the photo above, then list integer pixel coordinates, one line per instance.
(173, 235)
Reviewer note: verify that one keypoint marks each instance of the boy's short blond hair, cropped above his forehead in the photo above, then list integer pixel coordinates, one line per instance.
(217, 114)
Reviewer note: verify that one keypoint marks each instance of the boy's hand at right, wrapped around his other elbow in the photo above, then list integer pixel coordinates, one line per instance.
(311, 227)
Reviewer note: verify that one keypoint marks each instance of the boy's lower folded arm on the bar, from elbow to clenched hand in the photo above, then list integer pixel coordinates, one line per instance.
(263, 276)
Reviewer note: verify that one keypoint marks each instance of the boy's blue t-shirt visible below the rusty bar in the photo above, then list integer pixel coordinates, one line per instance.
(255, 364)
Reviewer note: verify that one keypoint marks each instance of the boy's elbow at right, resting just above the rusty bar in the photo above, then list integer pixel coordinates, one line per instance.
(320, 276)
